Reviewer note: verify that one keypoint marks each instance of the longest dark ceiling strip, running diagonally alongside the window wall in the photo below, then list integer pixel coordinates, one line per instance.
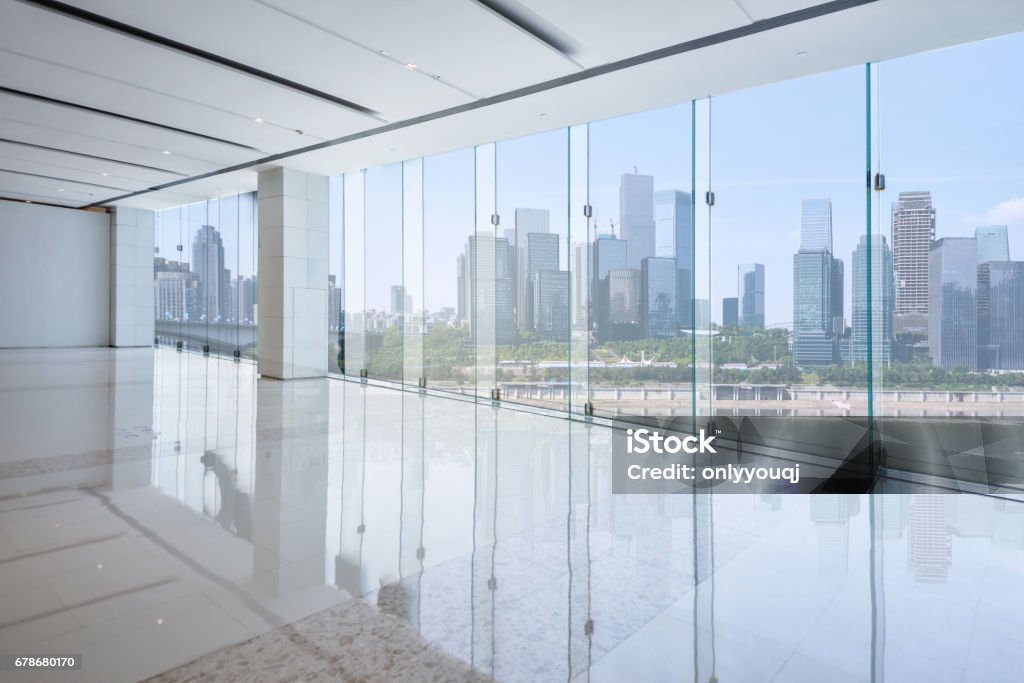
(673, 51)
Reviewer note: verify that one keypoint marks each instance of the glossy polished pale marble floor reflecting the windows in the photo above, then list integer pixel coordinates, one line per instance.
(170, 516)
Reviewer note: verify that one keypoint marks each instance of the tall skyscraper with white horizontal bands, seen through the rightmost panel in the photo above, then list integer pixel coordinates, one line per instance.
(913, 232)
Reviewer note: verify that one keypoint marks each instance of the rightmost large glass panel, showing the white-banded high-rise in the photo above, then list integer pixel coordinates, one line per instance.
(950, 363)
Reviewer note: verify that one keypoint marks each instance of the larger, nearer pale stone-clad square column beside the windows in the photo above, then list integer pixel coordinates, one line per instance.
(293, 250)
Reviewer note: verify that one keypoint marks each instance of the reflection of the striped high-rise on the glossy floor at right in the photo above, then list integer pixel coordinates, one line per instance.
(929, 543)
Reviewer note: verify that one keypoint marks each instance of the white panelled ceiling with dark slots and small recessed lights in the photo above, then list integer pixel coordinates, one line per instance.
(356, 51)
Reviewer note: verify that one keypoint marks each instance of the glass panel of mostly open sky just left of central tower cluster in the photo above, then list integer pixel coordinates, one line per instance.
(448, 225)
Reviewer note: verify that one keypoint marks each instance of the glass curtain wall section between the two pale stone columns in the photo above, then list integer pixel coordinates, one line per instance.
(205, 282)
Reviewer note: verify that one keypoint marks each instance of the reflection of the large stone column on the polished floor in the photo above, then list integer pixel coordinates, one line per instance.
(290, 505)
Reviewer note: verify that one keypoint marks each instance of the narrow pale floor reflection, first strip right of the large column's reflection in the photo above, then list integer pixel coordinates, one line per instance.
(349, 564)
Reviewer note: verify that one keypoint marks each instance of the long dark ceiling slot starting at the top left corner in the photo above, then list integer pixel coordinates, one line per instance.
(141, 34)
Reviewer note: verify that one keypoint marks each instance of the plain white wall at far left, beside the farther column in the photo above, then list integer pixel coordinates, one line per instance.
(55, 277)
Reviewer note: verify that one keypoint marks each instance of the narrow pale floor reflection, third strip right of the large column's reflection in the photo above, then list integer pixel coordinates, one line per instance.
(485, 540)
